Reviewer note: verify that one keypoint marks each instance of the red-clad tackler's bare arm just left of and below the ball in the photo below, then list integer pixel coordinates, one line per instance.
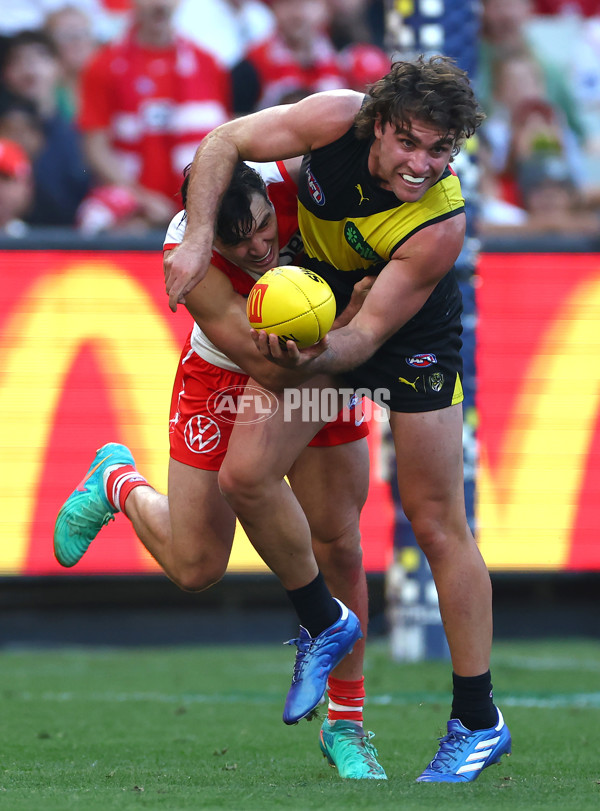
(221, 314)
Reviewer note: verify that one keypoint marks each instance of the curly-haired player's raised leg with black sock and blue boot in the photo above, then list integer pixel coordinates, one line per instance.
(252, 479)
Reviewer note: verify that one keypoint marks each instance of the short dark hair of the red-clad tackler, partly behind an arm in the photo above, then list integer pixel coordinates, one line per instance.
(234, 220)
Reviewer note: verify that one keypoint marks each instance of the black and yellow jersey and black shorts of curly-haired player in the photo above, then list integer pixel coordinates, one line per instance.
(351, 227)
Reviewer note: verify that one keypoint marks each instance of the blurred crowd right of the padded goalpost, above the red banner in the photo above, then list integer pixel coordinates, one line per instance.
(538, 82)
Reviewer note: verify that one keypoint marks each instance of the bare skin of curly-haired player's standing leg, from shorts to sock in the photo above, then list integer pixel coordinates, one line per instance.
(429, 461)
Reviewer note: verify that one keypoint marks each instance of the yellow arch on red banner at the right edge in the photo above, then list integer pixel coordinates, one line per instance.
(528, 503)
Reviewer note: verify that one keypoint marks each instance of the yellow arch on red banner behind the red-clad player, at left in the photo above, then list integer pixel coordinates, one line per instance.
(90, 301)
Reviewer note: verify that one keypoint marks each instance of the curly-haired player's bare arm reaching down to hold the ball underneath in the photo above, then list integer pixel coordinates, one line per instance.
(398, 293)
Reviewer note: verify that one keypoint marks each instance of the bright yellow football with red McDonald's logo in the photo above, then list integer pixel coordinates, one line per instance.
(294, 303)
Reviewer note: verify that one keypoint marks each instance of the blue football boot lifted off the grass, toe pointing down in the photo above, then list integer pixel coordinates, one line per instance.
(315, 659)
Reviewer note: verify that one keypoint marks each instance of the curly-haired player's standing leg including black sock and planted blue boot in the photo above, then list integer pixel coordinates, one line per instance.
(430, 477)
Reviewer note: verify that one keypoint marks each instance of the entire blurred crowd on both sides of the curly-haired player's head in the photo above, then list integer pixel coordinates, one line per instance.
(103, 102)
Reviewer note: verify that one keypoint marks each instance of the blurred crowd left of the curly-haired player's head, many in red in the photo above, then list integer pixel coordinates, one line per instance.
(103, 102)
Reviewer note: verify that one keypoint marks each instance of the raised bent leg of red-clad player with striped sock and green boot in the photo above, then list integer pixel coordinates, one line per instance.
(189, 534)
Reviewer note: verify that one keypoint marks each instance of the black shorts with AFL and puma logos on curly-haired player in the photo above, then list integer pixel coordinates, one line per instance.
(420, 367)
